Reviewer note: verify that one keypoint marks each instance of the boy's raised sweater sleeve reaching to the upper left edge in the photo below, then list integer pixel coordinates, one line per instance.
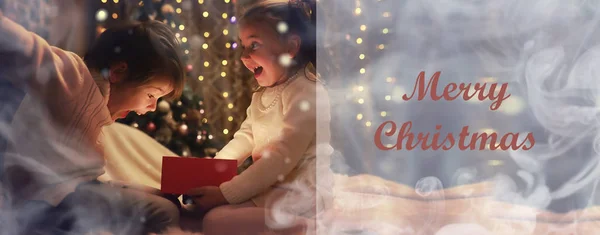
(58, 80)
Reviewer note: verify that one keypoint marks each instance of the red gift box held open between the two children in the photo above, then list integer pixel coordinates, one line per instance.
(180, 174)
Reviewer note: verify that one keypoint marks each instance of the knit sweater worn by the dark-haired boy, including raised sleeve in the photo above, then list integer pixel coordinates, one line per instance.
(54, 136)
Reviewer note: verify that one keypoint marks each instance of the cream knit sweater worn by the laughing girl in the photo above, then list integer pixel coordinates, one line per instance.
(280, 132)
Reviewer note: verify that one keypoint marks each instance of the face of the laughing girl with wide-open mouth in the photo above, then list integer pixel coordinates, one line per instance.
(262, 48)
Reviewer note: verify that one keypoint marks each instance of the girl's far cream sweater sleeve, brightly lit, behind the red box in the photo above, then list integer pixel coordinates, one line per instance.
(240, 147)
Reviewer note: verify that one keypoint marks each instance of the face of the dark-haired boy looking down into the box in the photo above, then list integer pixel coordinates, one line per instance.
(125, 98)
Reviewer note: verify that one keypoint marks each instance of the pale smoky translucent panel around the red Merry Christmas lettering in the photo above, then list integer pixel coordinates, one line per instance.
(546, 51)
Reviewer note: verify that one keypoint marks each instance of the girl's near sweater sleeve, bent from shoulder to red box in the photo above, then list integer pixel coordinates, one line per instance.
(285, 151)
